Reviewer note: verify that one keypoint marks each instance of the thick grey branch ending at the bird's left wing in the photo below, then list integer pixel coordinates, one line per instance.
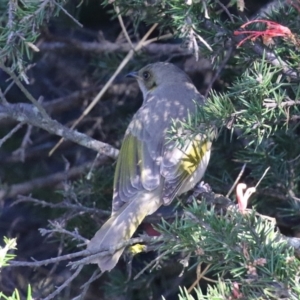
(28, 114)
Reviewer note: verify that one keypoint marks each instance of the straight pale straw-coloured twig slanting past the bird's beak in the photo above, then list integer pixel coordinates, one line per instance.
(108, 83)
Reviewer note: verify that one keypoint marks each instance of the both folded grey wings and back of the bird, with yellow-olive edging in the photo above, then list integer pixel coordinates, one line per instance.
(146, 161)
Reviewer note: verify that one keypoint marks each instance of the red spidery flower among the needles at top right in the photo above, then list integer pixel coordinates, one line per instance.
(273, 30)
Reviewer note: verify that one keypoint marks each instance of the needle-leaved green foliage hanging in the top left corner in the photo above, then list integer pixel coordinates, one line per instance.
(20, 24)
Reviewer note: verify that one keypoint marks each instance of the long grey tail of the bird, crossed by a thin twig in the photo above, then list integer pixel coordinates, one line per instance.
(121, 226)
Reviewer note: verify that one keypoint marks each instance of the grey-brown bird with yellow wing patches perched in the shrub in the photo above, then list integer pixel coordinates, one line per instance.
(152, 167)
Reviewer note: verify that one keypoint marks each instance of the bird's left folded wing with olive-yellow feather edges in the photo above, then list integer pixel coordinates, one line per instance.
(139, 158)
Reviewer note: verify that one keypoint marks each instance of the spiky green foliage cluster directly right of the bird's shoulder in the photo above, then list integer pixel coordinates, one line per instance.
(261, 108)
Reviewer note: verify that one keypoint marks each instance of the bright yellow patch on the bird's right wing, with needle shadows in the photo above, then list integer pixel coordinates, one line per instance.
(193, 156)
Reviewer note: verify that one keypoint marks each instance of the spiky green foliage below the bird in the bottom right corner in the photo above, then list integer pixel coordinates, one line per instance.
(242, 250)
